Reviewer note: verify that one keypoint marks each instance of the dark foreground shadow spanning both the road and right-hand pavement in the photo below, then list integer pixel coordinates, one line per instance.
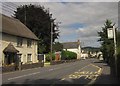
(103, 79)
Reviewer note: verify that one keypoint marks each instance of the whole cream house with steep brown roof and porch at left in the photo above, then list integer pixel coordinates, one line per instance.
(19, 44)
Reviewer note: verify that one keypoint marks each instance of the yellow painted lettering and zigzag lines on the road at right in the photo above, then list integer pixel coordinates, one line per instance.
(87, 74)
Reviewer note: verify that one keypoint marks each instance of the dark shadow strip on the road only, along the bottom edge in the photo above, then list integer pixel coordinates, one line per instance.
(53, 82)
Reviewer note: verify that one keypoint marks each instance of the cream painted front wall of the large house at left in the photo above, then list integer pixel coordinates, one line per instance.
(24, 50)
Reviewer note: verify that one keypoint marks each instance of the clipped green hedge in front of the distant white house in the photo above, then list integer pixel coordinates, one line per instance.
(68, 55)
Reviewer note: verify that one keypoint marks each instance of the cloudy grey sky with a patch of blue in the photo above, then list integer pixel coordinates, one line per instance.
(80, 20)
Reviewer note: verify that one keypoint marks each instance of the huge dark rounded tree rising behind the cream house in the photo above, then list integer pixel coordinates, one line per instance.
(38, 20)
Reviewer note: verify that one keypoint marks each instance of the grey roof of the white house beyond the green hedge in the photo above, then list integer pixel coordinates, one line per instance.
(70, 45)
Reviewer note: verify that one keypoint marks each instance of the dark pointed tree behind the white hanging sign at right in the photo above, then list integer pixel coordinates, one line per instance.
(107, 45)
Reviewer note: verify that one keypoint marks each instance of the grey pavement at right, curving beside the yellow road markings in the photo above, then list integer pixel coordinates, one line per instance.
(106, 77)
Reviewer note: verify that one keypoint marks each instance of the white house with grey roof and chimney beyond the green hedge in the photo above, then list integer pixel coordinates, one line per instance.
(73, 47)
